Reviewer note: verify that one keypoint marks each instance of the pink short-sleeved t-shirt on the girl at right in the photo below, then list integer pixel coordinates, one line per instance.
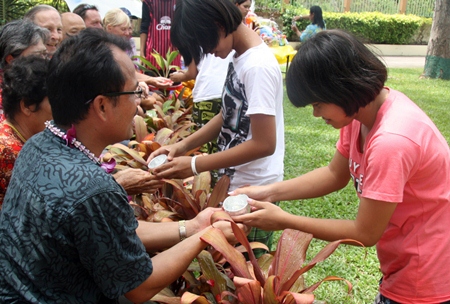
(406, 160)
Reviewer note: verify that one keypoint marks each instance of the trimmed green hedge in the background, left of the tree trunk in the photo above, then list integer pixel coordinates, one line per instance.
(371, 27)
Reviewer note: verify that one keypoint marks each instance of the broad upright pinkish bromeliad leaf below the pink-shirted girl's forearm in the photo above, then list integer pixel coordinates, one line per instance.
(290, 254)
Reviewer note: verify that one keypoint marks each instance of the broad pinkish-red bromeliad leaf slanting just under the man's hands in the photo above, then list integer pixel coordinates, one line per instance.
(215, 238)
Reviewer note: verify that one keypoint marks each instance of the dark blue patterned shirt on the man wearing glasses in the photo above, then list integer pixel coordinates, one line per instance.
(67, 232)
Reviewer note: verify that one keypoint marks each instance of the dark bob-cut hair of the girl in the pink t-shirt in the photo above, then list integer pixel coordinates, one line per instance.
(335, 67)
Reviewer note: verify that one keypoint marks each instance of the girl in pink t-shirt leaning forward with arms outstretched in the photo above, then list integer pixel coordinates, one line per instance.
(396, 157)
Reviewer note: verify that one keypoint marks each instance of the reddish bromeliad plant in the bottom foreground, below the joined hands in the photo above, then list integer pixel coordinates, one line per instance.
(276, 278)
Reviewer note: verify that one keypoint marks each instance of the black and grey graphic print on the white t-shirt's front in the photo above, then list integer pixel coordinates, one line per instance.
(235, 125)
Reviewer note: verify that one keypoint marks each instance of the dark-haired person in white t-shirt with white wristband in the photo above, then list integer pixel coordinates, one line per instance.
(250, 127)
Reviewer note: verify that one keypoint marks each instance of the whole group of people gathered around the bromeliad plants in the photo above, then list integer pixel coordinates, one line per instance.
(70, 88)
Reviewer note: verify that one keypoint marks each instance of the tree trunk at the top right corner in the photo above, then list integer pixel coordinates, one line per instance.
(437, 61)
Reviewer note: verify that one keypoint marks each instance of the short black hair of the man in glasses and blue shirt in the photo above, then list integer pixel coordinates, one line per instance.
(82, 68)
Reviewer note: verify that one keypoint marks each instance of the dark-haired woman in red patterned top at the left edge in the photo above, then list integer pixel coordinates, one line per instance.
(26, 109)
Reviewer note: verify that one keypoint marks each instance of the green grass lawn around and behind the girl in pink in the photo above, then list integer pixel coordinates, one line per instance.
(310, 143)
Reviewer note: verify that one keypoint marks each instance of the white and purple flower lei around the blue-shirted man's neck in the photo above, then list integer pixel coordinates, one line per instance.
(71, 141)
